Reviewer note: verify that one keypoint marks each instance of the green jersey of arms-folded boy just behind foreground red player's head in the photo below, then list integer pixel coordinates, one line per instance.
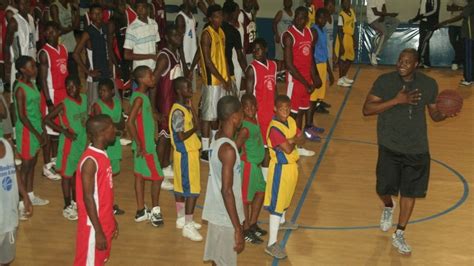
(115, 112)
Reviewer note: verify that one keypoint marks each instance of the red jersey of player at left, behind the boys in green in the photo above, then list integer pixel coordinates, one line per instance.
(57, 71)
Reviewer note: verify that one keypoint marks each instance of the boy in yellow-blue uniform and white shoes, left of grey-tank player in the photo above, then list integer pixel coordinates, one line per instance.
(183, 126)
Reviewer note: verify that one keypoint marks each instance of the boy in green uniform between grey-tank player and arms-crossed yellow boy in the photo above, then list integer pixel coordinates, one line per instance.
(252, 152)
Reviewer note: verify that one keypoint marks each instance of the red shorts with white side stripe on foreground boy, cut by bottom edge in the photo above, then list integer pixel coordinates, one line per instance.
(86, 251)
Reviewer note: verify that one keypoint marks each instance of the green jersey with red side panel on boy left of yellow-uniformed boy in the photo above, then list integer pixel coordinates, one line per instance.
(145, 124)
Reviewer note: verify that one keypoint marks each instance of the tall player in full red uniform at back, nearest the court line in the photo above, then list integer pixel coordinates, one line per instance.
(302, 77)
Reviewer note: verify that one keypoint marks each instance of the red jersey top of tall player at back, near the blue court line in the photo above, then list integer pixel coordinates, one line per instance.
(302, 52)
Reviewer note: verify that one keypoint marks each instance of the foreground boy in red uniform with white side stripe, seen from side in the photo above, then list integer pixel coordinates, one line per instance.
(95, 197)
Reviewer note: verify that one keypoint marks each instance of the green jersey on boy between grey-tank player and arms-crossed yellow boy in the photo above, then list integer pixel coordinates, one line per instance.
(253, 150)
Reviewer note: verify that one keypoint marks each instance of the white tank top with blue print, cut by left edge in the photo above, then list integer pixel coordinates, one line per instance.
(8, 191)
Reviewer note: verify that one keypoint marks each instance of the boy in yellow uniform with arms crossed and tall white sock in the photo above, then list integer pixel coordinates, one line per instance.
(282, 137)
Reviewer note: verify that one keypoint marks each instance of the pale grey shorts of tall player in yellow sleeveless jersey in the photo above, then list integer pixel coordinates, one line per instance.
(211, 94)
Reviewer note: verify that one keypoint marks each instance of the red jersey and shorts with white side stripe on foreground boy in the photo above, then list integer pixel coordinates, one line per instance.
(86, 252)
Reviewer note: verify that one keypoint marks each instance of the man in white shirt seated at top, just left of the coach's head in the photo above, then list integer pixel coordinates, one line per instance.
(383, 23)
